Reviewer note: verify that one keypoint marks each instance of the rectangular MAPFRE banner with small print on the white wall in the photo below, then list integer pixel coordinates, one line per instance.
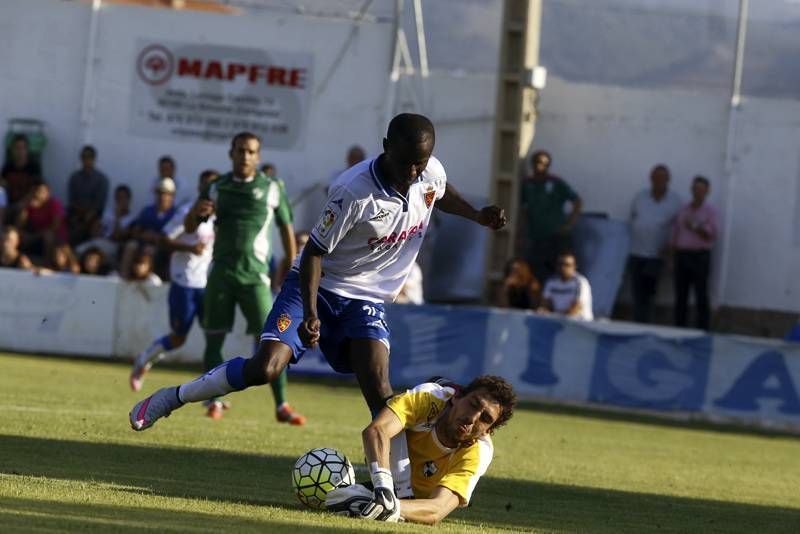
(210, 92)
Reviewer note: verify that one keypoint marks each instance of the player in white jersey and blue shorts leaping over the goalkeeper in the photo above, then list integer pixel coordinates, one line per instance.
(358, 256)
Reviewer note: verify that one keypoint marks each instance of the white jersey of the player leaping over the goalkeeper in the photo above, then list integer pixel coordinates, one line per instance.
(371, 233)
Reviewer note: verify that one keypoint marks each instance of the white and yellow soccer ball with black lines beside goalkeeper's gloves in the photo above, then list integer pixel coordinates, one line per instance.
(319, 471)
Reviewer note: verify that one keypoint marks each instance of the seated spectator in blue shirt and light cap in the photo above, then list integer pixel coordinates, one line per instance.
(147, 229)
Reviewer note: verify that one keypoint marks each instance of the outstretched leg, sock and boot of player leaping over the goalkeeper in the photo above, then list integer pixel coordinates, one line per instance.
(233, 375)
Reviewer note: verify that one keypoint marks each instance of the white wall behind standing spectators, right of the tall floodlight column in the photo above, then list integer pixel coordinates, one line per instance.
(604, 141)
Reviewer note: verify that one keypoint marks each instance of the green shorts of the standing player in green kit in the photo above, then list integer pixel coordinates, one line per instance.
(223, 293)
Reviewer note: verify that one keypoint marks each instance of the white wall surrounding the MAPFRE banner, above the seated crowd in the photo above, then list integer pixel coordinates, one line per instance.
(44, 72)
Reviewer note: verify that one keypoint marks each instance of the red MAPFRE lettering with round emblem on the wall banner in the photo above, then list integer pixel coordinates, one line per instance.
(156, 64)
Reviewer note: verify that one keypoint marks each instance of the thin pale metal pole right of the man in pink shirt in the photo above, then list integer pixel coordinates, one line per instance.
(730, 148)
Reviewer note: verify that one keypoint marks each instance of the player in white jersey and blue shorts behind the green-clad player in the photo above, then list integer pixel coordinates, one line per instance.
(188, 268)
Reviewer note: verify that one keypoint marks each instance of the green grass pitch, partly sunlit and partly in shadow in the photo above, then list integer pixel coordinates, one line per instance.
(69, 461)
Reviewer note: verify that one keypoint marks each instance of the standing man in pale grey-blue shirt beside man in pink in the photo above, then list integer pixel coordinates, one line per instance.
(652, 213)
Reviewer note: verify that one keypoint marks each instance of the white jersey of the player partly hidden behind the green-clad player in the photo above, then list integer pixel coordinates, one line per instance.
(187, 269)
